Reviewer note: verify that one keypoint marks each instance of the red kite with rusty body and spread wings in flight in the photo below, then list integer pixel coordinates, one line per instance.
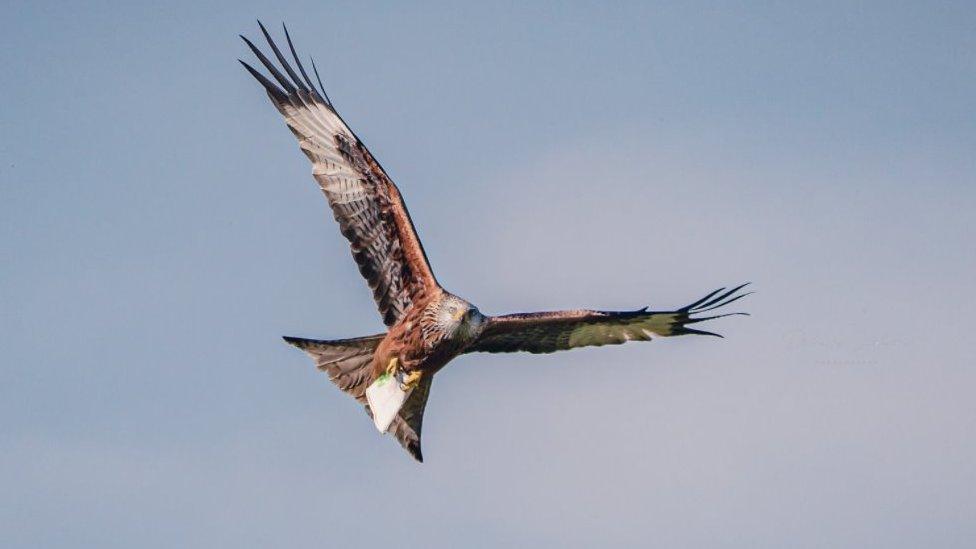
(427, 326)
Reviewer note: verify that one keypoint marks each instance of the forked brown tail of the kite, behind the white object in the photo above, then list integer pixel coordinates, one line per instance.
(349, 365)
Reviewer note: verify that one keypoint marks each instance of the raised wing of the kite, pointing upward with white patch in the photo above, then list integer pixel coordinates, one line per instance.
(365, 202)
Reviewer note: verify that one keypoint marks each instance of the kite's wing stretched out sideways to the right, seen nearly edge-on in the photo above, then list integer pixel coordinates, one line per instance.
(563, 330)
